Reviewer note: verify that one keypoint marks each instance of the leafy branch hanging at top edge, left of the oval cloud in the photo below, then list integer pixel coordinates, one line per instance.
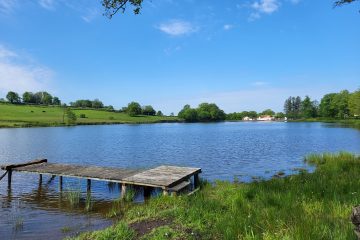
(114, 6)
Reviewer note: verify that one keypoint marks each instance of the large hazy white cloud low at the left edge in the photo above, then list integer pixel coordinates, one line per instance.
(19, 74)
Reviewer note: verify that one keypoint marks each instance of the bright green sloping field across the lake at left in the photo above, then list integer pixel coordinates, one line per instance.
(29, 116)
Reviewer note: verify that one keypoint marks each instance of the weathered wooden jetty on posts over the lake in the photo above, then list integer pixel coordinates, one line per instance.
(171, 179)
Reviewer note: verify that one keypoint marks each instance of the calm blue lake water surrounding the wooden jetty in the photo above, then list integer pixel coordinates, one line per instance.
(223, 150)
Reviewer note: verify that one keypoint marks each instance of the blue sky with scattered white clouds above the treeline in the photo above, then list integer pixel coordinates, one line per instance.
(239, 54)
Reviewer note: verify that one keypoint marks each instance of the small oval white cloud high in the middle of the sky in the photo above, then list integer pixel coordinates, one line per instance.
(177, 27)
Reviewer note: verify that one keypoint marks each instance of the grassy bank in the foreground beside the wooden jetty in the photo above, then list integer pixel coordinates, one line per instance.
(304, 206)
